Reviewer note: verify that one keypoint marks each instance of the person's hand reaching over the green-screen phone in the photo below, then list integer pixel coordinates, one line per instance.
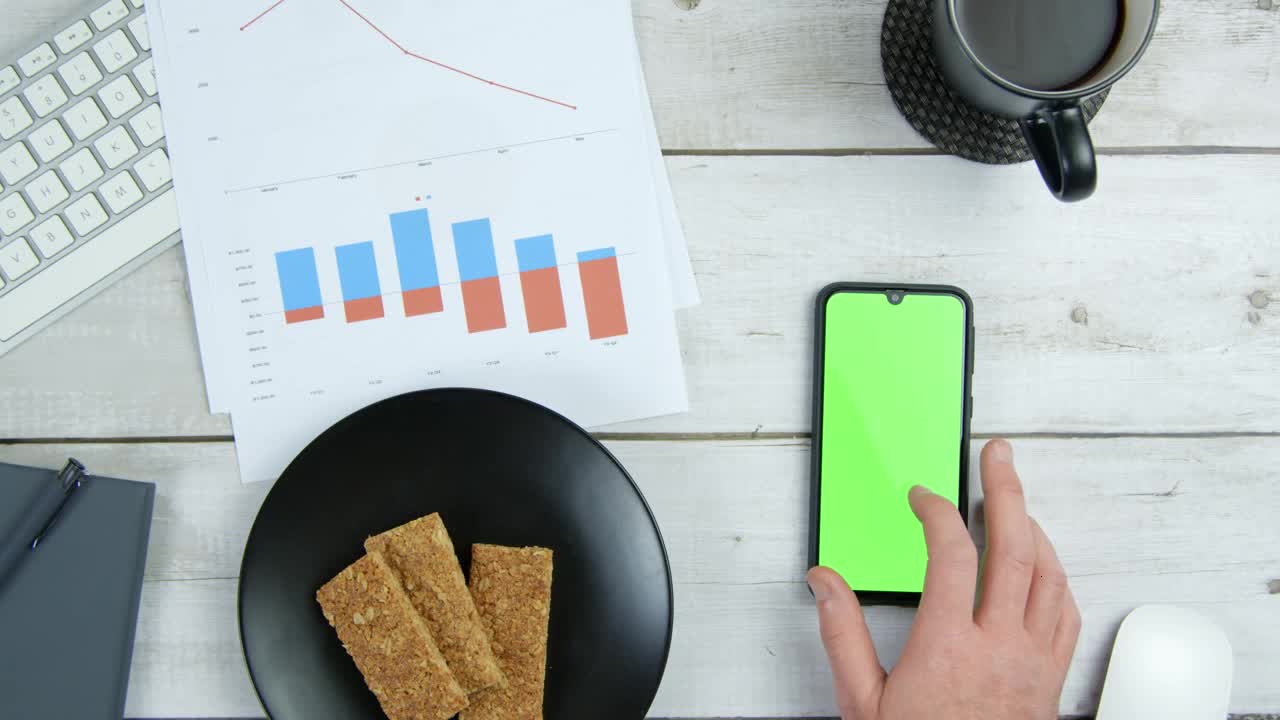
(1005, 662)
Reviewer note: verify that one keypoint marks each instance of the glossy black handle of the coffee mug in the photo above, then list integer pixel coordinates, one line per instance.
(1059, 140)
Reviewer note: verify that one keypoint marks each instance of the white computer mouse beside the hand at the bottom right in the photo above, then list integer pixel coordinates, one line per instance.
(1168, 664)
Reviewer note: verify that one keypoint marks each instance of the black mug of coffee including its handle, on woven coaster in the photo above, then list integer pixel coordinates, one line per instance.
(1036, 62)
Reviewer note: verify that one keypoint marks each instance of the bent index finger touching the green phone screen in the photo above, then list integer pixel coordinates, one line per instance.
(953, 572)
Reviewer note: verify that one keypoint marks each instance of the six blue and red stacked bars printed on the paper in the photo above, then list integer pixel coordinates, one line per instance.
(479, 279)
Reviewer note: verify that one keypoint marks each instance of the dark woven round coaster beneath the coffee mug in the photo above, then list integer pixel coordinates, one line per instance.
(926, 101)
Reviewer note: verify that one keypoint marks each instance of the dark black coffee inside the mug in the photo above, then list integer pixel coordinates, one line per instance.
(1041, 44)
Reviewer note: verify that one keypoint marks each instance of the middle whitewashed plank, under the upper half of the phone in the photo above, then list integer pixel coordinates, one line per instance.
(1150, 309)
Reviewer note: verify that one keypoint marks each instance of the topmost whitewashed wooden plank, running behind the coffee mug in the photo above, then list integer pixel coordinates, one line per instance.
(807, 74)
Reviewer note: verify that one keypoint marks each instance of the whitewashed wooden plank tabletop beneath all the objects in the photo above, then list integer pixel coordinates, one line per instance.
(1131, 345)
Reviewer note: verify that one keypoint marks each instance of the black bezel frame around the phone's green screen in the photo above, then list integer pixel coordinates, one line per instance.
(884, 598)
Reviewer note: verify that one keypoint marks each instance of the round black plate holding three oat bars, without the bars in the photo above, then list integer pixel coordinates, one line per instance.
(500, 471)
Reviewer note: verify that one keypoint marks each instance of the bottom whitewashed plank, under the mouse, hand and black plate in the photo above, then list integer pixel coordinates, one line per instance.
(1140, 521)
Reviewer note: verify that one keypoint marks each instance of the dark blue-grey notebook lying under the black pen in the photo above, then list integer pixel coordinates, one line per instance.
(70, 612)
